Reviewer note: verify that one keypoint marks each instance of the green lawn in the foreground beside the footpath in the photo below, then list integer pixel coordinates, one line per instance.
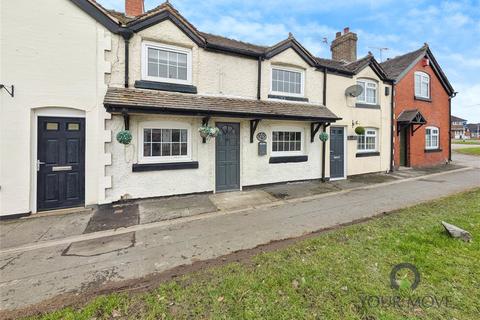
(326, 276)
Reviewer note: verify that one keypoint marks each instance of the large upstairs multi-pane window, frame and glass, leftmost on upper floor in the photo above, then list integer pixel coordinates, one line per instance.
(166, 63)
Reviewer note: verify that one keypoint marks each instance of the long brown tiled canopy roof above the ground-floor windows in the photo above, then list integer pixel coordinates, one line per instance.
(149, 101)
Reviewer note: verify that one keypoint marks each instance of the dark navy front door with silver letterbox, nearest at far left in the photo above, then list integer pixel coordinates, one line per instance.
(61, 163)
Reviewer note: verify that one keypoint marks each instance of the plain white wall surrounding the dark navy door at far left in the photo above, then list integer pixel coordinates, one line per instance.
(54, 54)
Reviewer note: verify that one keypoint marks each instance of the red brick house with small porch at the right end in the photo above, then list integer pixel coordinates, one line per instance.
(422, 109)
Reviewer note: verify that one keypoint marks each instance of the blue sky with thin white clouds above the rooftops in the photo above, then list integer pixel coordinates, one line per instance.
(451, 28)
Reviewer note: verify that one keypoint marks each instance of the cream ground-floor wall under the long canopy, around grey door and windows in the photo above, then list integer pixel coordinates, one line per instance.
(254, 169)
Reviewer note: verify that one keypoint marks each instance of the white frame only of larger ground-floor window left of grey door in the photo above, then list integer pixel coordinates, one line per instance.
(164, 125)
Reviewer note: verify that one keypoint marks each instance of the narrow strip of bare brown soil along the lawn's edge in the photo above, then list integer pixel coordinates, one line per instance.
(79, 299)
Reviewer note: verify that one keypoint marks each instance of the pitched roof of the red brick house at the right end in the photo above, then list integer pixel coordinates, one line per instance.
(396, 68)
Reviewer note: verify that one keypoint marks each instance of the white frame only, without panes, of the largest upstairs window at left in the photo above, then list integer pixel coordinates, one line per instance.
(147, 44)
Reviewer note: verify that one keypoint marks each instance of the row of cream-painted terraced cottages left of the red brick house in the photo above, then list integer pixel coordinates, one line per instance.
(152, 106)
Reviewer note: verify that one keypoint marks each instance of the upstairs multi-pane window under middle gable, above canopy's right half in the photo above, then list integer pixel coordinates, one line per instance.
(288, 82)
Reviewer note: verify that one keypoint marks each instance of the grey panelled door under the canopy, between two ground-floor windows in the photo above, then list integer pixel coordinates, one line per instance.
(227, 157)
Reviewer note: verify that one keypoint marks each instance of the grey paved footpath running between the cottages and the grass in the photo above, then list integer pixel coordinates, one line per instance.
(29, 275)
